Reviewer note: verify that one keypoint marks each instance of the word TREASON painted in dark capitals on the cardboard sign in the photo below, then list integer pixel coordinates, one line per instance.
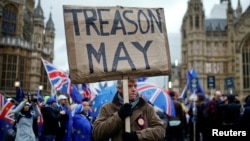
(143, 21)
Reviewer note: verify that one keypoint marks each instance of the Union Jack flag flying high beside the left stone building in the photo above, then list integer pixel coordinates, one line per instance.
(61, 81)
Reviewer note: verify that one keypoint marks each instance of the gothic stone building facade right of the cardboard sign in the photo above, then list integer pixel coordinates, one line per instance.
(217, 46)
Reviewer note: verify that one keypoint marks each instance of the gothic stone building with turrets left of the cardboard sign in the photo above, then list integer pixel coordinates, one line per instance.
(24, 40)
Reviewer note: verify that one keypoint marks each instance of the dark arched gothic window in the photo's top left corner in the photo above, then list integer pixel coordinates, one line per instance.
(9, 20)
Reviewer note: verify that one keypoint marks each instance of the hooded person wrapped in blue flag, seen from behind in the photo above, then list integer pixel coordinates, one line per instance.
(82, 128)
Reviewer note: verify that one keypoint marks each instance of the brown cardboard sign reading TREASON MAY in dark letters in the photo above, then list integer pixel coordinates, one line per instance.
(111, 43)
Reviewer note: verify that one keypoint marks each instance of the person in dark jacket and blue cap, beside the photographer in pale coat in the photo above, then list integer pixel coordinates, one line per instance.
(51, 119)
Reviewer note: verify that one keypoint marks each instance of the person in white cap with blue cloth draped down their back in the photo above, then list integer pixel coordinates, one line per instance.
(64, 133)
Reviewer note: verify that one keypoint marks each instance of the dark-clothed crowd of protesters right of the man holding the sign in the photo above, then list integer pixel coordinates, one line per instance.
(200, 115)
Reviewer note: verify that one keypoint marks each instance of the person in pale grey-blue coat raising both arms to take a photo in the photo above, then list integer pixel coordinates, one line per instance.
(25, 116)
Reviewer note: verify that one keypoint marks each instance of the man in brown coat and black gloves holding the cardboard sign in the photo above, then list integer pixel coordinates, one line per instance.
(145, 124)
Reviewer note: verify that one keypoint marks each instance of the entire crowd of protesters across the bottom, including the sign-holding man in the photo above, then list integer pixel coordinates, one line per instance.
(194, 120)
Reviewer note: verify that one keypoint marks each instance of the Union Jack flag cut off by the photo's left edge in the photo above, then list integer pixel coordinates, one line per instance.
(6, 116)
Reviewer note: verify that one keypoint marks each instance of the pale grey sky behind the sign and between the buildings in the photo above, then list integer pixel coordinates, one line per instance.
(174, 12)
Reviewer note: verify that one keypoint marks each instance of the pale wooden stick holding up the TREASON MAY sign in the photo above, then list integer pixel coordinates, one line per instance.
(126, 100)
